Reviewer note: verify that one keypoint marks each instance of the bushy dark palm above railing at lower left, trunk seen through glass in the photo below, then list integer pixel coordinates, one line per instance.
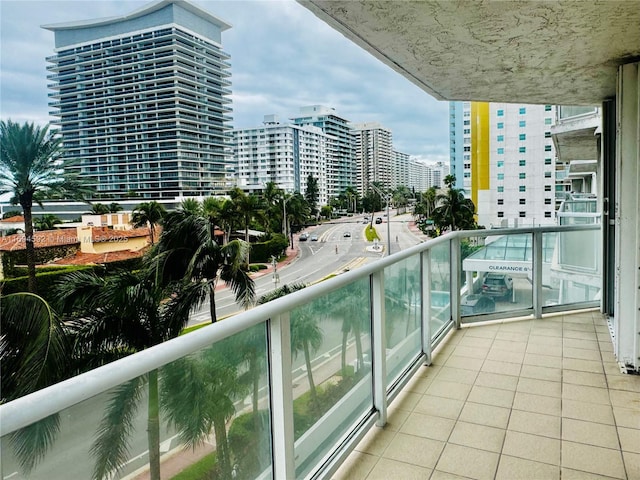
(112, 317)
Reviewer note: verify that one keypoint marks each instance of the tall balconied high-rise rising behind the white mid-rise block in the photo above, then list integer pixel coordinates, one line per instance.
(340, 158)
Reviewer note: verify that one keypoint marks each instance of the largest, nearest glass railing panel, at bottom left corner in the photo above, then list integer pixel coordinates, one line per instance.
(213, 398)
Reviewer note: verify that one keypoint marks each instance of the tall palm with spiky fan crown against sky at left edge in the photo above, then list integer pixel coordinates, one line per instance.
(31, 169)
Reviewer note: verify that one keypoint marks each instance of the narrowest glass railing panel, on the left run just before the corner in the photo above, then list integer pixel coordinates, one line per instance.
(440, 288)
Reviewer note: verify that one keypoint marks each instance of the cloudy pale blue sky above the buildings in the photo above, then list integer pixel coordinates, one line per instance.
(282, 58)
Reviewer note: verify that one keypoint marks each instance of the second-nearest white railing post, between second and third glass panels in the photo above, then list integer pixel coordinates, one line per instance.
(379, 347)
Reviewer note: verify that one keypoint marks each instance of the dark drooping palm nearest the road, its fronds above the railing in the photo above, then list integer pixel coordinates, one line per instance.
(188, 249)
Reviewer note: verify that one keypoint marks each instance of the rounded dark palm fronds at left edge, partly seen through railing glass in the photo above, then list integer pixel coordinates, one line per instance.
(33, 354)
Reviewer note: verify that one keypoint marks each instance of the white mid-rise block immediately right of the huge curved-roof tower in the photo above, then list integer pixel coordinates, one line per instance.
(281, 153)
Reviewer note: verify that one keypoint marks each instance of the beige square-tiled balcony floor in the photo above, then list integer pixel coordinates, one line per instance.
(533, 399)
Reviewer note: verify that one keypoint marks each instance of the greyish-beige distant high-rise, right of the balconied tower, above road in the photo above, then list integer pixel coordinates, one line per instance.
(373, 145)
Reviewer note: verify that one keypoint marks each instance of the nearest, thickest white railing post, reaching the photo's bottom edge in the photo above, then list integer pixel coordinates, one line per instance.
(280, 378)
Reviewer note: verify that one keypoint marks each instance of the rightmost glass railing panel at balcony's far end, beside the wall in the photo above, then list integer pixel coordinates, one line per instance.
(574, 273)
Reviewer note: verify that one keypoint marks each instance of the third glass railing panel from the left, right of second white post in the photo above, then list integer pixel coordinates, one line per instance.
(402, 300)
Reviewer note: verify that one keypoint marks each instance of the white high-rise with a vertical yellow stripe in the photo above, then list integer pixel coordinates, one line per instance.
(510, 163)
